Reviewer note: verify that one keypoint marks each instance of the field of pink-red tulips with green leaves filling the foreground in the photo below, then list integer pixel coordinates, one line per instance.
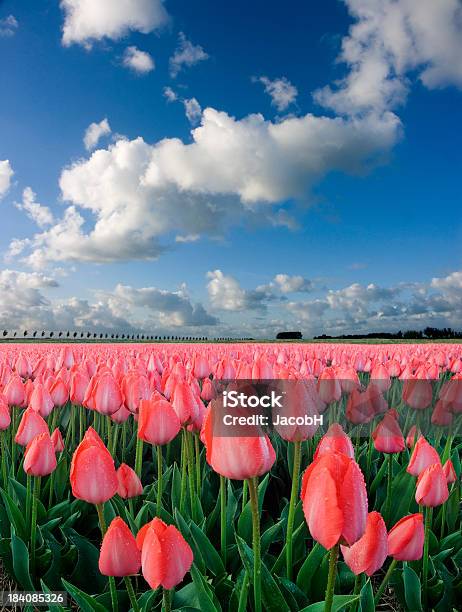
(119, 492)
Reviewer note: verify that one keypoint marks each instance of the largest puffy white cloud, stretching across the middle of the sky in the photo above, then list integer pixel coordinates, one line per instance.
(126, 199)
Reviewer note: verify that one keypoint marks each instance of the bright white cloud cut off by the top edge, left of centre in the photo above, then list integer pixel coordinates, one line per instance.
(87, 21)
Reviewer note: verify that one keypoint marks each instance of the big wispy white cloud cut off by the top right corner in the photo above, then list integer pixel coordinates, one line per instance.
(388, 41)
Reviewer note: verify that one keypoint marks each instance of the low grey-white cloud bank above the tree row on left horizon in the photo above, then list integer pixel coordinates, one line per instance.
(26, 304)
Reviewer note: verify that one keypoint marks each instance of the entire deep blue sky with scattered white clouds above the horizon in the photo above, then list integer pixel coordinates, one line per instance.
(315, 183)
